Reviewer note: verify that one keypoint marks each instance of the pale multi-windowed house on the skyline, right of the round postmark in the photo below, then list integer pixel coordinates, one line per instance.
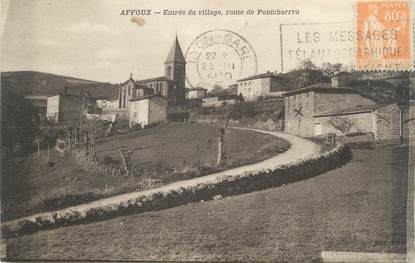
(261, 85)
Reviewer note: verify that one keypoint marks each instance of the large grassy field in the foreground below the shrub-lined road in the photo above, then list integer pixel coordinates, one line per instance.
(359, 207)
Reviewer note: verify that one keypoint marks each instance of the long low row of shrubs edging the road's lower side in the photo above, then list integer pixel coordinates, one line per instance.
(162, 198)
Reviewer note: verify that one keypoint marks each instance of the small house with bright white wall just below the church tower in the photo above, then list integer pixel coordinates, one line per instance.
(148, 110)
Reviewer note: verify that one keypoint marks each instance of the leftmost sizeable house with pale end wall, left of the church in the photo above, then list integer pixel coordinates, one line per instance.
(67, 108)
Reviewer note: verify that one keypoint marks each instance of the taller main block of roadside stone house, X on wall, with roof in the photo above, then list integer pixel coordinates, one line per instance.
(302, 105)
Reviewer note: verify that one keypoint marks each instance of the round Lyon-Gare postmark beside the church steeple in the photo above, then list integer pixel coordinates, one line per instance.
(219, 58)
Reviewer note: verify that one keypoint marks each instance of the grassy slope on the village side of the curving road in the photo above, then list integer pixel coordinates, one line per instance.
(174, 152)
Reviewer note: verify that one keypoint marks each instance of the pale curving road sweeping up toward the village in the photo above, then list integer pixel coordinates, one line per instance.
(300, 149)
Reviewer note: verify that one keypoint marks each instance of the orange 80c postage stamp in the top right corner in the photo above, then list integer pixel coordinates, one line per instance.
(384, 40)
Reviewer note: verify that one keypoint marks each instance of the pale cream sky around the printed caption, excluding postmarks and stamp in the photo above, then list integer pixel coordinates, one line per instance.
(90, 39)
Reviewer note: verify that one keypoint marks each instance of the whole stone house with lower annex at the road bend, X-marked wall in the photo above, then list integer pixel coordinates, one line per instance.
(321, 109)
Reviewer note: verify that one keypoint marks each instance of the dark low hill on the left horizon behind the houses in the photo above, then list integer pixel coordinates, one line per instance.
(42, 84)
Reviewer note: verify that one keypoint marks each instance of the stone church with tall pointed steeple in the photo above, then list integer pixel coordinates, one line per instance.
(170, 86)
